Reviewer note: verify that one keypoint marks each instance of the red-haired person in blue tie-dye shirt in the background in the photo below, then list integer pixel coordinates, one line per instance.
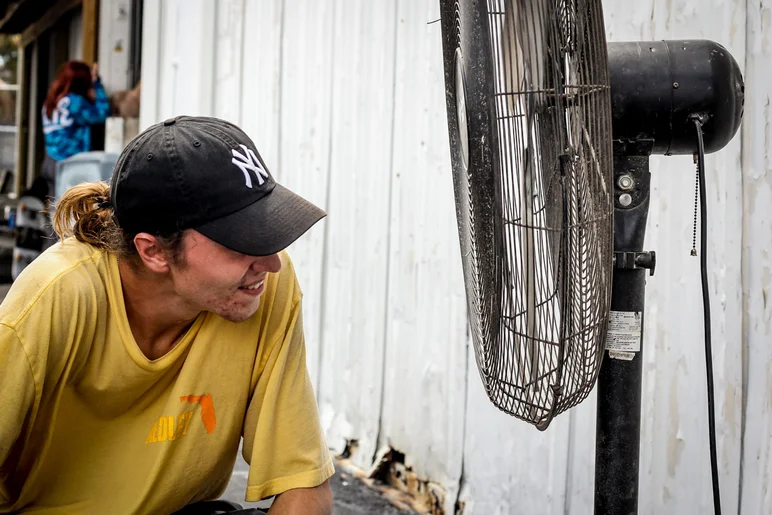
(76, 100)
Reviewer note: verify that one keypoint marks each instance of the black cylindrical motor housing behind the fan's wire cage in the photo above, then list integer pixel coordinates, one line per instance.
(658, 87)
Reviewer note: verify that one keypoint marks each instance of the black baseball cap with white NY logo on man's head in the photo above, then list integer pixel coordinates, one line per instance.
(202, 173)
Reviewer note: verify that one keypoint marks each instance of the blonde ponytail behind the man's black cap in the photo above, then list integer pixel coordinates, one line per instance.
(85, 212)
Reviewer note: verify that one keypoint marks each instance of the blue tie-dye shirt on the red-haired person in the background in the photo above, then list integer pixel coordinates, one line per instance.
(68, 129)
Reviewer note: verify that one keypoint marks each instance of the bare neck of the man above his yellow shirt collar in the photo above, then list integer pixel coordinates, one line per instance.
(157, 316)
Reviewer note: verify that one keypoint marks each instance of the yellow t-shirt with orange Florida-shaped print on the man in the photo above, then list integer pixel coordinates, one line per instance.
(88, 424)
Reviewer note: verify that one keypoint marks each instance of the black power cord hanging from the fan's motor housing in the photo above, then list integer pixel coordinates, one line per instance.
(698, 121)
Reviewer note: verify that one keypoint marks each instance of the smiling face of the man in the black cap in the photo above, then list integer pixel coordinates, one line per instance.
(213, 278)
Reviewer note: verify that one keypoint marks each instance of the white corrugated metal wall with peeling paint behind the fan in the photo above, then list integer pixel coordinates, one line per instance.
(345, 100)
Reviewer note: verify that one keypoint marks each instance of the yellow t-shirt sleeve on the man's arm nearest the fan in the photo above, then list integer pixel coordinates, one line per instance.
(284, 442)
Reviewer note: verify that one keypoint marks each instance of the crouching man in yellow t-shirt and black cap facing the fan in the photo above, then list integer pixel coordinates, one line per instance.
(163, 328)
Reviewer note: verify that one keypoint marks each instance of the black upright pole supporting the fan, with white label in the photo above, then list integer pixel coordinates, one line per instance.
(618, 429)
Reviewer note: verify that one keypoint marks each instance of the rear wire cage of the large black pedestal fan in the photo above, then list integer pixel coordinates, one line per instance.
(554, 225)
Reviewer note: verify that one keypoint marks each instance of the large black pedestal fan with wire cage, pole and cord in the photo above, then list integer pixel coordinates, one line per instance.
(551, 130)
